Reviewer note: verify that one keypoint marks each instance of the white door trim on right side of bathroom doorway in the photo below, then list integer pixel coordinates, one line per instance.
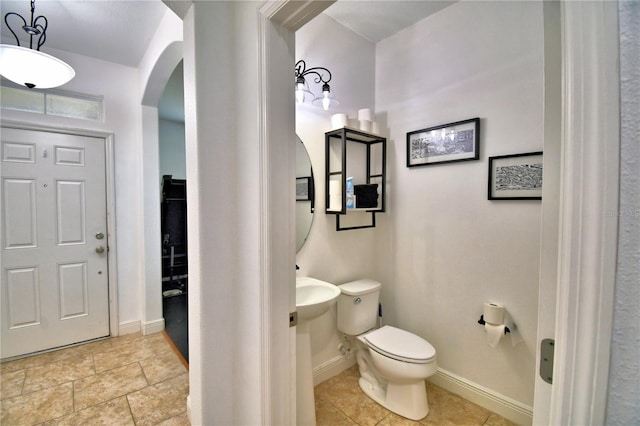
(588, 222)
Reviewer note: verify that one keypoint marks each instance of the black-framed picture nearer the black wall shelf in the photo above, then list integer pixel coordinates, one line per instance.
(446, 143)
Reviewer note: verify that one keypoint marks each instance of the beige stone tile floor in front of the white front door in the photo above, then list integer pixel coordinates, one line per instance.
(127, 380)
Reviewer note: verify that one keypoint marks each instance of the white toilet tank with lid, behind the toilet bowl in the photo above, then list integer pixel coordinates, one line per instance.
(358, 306)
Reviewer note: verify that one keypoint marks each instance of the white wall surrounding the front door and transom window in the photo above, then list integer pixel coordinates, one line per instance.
(120, 87)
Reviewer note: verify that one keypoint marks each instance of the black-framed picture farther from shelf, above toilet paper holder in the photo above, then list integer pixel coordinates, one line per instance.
(515, 177)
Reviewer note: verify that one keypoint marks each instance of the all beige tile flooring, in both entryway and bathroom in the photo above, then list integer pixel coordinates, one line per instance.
(139, 380)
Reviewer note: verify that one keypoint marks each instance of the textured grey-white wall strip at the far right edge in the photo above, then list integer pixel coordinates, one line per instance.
(622, 404)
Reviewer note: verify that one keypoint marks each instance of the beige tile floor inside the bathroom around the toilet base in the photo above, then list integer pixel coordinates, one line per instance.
(339, 401)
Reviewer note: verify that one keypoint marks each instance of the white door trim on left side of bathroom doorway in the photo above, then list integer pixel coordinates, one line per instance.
(277, 23)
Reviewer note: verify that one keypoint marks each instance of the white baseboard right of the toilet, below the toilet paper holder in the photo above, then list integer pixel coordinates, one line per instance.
(506, 407)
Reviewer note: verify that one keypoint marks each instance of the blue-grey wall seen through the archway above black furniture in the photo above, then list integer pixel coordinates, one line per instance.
(172, 157)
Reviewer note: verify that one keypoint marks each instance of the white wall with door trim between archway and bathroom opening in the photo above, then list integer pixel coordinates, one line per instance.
(240, 149)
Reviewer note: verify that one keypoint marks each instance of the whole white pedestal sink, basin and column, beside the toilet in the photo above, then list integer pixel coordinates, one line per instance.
(313, 298)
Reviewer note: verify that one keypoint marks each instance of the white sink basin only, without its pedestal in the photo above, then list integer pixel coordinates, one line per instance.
(314, 297)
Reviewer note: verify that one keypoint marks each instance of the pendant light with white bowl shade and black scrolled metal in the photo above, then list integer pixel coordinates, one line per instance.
(28, 66)
